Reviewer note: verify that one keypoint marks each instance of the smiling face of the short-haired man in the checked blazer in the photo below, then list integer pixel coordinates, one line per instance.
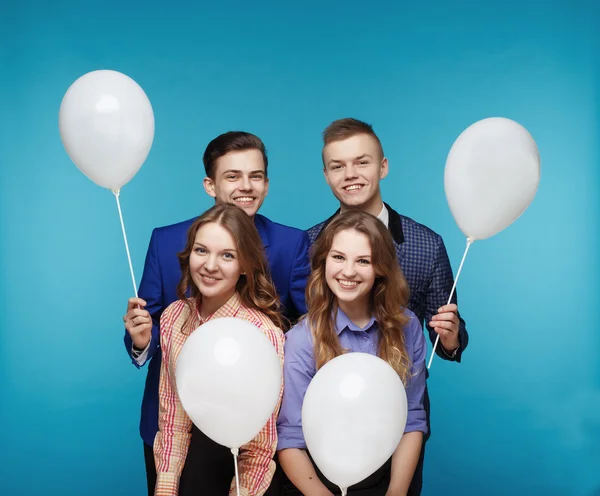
(353, 168)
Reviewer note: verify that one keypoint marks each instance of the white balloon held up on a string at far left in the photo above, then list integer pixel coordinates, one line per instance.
(106, 125)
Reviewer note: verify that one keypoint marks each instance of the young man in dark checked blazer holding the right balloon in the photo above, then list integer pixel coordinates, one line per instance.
(353, 165)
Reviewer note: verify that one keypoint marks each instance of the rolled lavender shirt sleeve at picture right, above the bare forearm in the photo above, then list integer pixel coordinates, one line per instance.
(415, 388)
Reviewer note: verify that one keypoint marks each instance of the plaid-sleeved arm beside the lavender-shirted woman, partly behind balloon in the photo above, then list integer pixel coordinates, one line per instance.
(255, 462)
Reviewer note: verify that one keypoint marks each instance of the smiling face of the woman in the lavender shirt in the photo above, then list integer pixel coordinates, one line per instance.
(349, 270)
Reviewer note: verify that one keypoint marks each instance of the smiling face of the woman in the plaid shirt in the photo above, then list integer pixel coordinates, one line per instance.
(214, 264)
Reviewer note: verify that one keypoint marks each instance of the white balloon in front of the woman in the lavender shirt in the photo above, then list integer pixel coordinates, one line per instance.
(353, 417)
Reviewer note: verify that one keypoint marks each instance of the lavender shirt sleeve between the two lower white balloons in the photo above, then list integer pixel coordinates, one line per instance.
(298, 371)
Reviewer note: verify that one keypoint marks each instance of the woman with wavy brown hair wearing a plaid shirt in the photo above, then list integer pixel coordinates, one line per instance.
(224, 274)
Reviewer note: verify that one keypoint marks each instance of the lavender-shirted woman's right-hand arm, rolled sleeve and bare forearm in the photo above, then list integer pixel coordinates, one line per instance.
(406, 456)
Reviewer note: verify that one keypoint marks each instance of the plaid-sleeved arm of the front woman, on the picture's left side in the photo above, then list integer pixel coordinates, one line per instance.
(174, 434)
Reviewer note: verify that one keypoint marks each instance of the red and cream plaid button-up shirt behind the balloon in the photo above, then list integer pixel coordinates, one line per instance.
(255, 462)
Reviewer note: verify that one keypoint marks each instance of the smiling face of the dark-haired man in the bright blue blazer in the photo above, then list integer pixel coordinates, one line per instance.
(239, 178)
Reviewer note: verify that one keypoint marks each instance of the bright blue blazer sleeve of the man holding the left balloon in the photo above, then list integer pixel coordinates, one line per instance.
(151, 291)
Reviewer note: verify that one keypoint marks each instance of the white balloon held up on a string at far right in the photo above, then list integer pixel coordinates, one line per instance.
(492, 175)
